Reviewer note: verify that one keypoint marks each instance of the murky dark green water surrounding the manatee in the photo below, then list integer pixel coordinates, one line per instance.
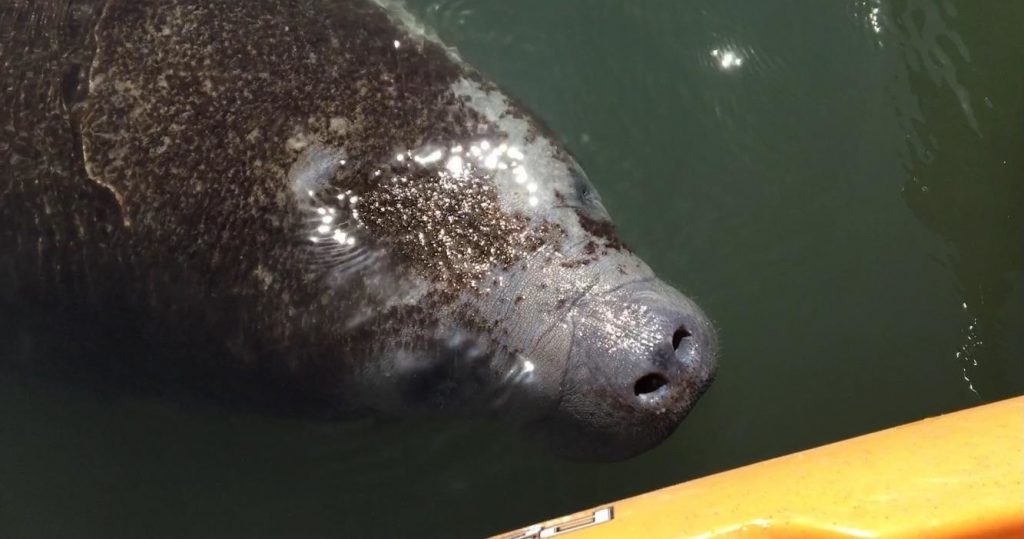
(839, 184)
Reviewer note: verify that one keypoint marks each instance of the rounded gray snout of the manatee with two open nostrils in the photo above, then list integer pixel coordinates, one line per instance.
(639, 360)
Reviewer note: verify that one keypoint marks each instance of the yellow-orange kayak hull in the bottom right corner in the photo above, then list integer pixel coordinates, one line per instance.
(960, 475)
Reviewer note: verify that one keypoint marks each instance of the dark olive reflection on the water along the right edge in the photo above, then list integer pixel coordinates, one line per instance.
(966, 177)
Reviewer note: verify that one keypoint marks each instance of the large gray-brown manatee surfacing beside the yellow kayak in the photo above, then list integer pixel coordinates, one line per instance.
(311, 208)
